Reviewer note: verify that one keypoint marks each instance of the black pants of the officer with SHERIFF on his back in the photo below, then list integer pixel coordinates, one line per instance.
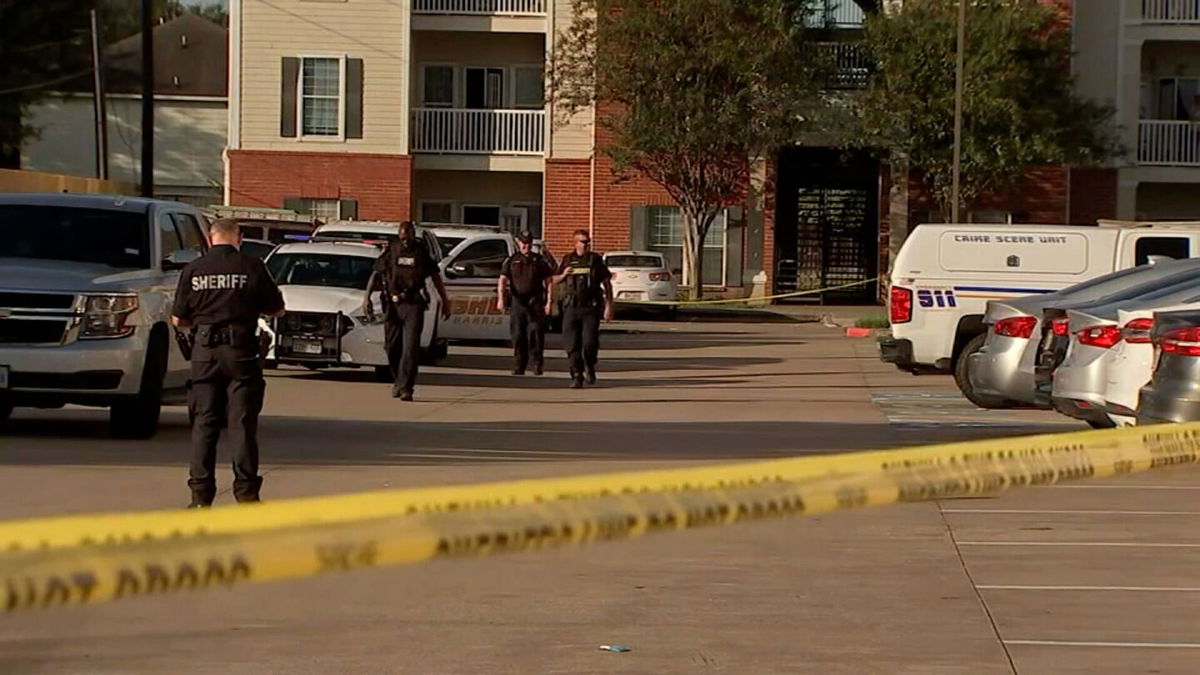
(227, 392)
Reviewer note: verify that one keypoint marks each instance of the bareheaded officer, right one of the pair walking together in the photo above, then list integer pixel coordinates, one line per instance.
(587, 296)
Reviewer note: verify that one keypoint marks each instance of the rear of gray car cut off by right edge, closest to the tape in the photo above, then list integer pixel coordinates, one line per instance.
(1174, 391)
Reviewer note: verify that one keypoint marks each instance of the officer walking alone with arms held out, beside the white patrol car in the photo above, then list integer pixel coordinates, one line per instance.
(401, 273)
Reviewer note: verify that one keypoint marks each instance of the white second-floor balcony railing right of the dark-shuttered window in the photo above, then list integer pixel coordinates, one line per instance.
(479, 133)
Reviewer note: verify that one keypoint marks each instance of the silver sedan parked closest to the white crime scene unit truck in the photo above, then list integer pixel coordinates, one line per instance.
(1004, 371)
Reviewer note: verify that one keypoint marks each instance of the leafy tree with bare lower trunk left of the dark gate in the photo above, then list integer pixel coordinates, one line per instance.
(694, 93)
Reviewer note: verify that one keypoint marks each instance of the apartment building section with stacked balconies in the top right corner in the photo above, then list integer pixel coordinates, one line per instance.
(1143, 57)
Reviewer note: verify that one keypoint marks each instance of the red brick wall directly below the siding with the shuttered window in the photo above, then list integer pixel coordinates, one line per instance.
(382, 184)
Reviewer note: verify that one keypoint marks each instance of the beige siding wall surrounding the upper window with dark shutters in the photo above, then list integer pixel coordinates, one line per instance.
(373, 31)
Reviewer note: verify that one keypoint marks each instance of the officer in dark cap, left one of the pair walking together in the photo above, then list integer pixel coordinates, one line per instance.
(526, 279)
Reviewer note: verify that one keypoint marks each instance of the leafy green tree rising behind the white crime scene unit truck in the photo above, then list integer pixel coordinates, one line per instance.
(1021, 109)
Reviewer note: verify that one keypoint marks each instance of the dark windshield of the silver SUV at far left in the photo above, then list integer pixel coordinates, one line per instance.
(118, 240)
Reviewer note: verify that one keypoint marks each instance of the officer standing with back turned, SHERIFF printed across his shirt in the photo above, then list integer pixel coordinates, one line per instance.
(223, 296)
